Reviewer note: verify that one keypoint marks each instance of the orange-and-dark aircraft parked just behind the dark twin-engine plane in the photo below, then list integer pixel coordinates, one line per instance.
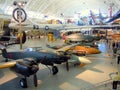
(80, 49)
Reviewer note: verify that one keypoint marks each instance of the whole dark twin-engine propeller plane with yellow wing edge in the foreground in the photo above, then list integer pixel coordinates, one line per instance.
(26, 63)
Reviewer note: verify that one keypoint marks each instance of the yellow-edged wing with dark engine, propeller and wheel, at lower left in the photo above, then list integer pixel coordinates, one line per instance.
(25, 67)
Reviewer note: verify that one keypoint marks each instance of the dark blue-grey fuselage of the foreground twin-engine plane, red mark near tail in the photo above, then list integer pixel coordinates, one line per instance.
(47, 58)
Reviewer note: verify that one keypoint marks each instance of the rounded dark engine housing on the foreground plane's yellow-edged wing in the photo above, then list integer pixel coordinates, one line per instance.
(26, 67)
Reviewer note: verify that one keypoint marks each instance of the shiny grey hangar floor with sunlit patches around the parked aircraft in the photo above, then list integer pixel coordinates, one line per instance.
(94, 76)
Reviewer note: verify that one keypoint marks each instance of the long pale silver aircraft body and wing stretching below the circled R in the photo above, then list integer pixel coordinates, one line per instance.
(58, 26)
